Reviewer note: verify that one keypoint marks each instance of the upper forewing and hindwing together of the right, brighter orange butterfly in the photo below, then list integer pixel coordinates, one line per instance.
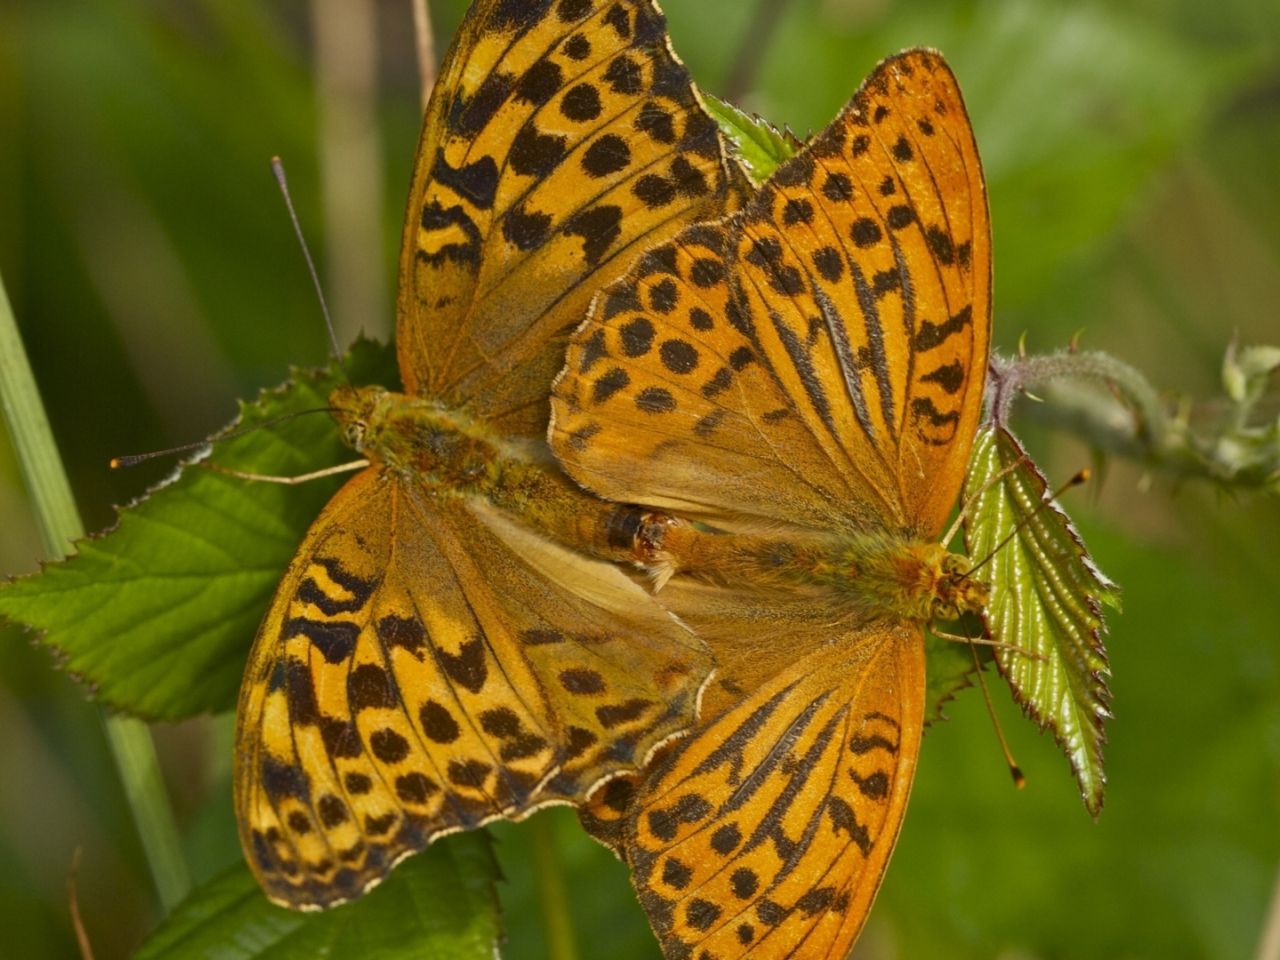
(817, 359)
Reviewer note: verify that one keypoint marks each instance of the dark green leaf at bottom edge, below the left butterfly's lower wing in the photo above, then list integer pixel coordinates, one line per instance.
(440, 904)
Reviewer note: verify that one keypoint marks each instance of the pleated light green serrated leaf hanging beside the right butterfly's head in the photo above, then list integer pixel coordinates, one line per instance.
(1046, 598)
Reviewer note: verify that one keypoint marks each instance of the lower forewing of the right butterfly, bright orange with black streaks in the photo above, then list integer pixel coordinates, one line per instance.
(767, 834)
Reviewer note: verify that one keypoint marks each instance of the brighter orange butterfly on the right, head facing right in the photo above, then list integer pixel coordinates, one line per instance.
(804, 377)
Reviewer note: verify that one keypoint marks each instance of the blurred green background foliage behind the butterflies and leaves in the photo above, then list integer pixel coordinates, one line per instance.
(1133, 159)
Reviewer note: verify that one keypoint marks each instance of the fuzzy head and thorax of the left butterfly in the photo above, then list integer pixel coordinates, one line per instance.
(417, 438)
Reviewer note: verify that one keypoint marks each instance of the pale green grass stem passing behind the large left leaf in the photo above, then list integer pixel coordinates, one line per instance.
(61, 524)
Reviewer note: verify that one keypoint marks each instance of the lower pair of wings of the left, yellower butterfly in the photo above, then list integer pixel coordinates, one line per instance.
(404, 687)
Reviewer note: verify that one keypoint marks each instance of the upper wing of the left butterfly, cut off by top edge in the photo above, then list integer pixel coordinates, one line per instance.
(563, 135)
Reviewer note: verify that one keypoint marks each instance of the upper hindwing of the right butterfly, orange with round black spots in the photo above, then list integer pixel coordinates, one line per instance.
(665, 399)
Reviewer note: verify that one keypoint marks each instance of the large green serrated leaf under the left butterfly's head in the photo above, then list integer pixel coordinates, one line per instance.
(158, 615)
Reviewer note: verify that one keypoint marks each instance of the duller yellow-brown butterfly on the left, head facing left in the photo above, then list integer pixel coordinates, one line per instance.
(442, 651)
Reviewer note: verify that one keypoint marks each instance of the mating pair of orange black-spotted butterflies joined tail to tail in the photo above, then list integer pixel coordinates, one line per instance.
(799, 367)
